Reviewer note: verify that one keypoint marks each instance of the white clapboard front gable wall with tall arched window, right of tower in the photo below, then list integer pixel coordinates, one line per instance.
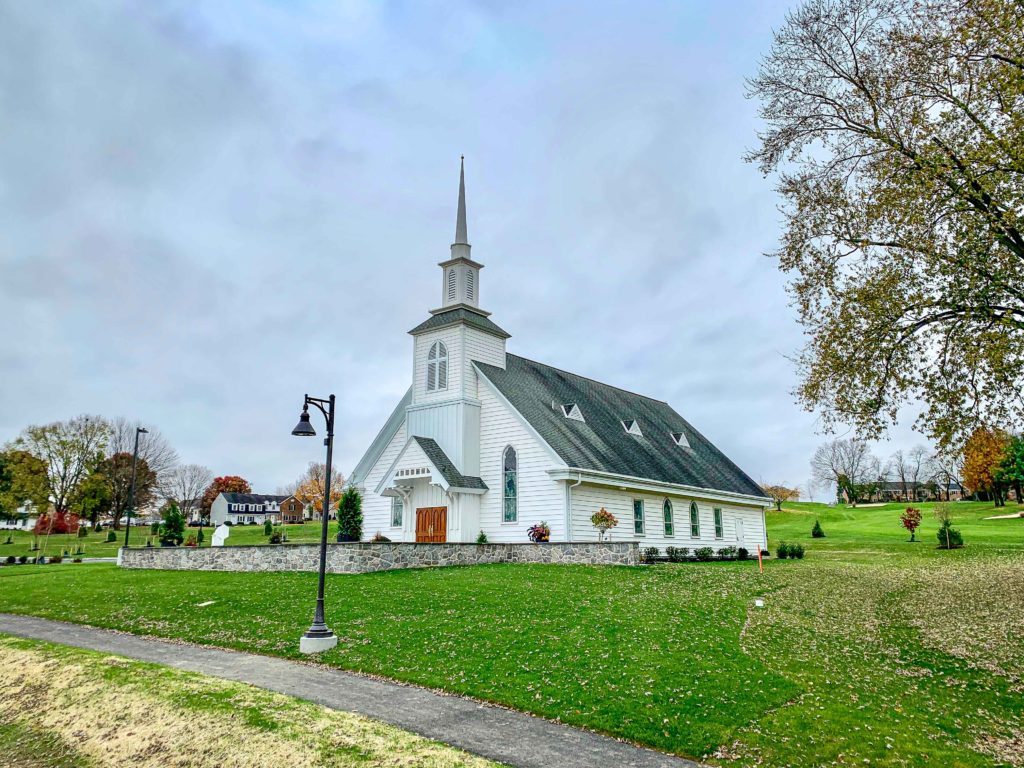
(540, 497)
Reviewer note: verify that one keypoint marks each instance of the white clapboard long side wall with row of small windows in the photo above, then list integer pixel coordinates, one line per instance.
(589, 499)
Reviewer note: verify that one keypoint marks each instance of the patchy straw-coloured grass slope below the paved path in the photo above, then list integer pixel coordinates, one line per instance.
(66, 707)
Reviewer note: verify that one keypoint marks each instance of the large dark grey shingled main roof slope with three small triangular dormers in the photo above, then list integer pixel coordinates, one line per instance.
(601, 443)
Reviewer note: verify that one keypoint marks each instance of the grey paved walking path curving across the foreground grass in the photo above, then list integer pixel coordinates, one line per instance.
(493, 733)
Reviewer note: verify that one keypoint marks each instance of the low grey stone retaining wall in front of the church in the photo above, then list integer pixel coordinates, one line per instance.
(367, 558)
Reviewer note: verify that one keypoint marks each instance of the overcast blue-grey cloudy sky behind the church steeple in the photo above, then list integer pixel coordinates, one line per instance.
(207, 210)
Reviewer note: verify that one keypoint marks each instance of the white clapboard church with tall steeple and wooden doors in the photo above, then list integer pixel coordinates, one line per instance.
(486, 441)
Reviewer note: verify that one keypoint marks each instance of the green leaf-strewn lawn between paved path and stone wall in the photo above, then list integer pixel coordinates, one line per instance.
(871, 650)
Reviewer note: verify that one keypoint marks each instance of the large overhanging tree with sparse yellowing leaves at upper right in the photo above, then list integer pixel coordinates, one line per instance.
(897, 131)
